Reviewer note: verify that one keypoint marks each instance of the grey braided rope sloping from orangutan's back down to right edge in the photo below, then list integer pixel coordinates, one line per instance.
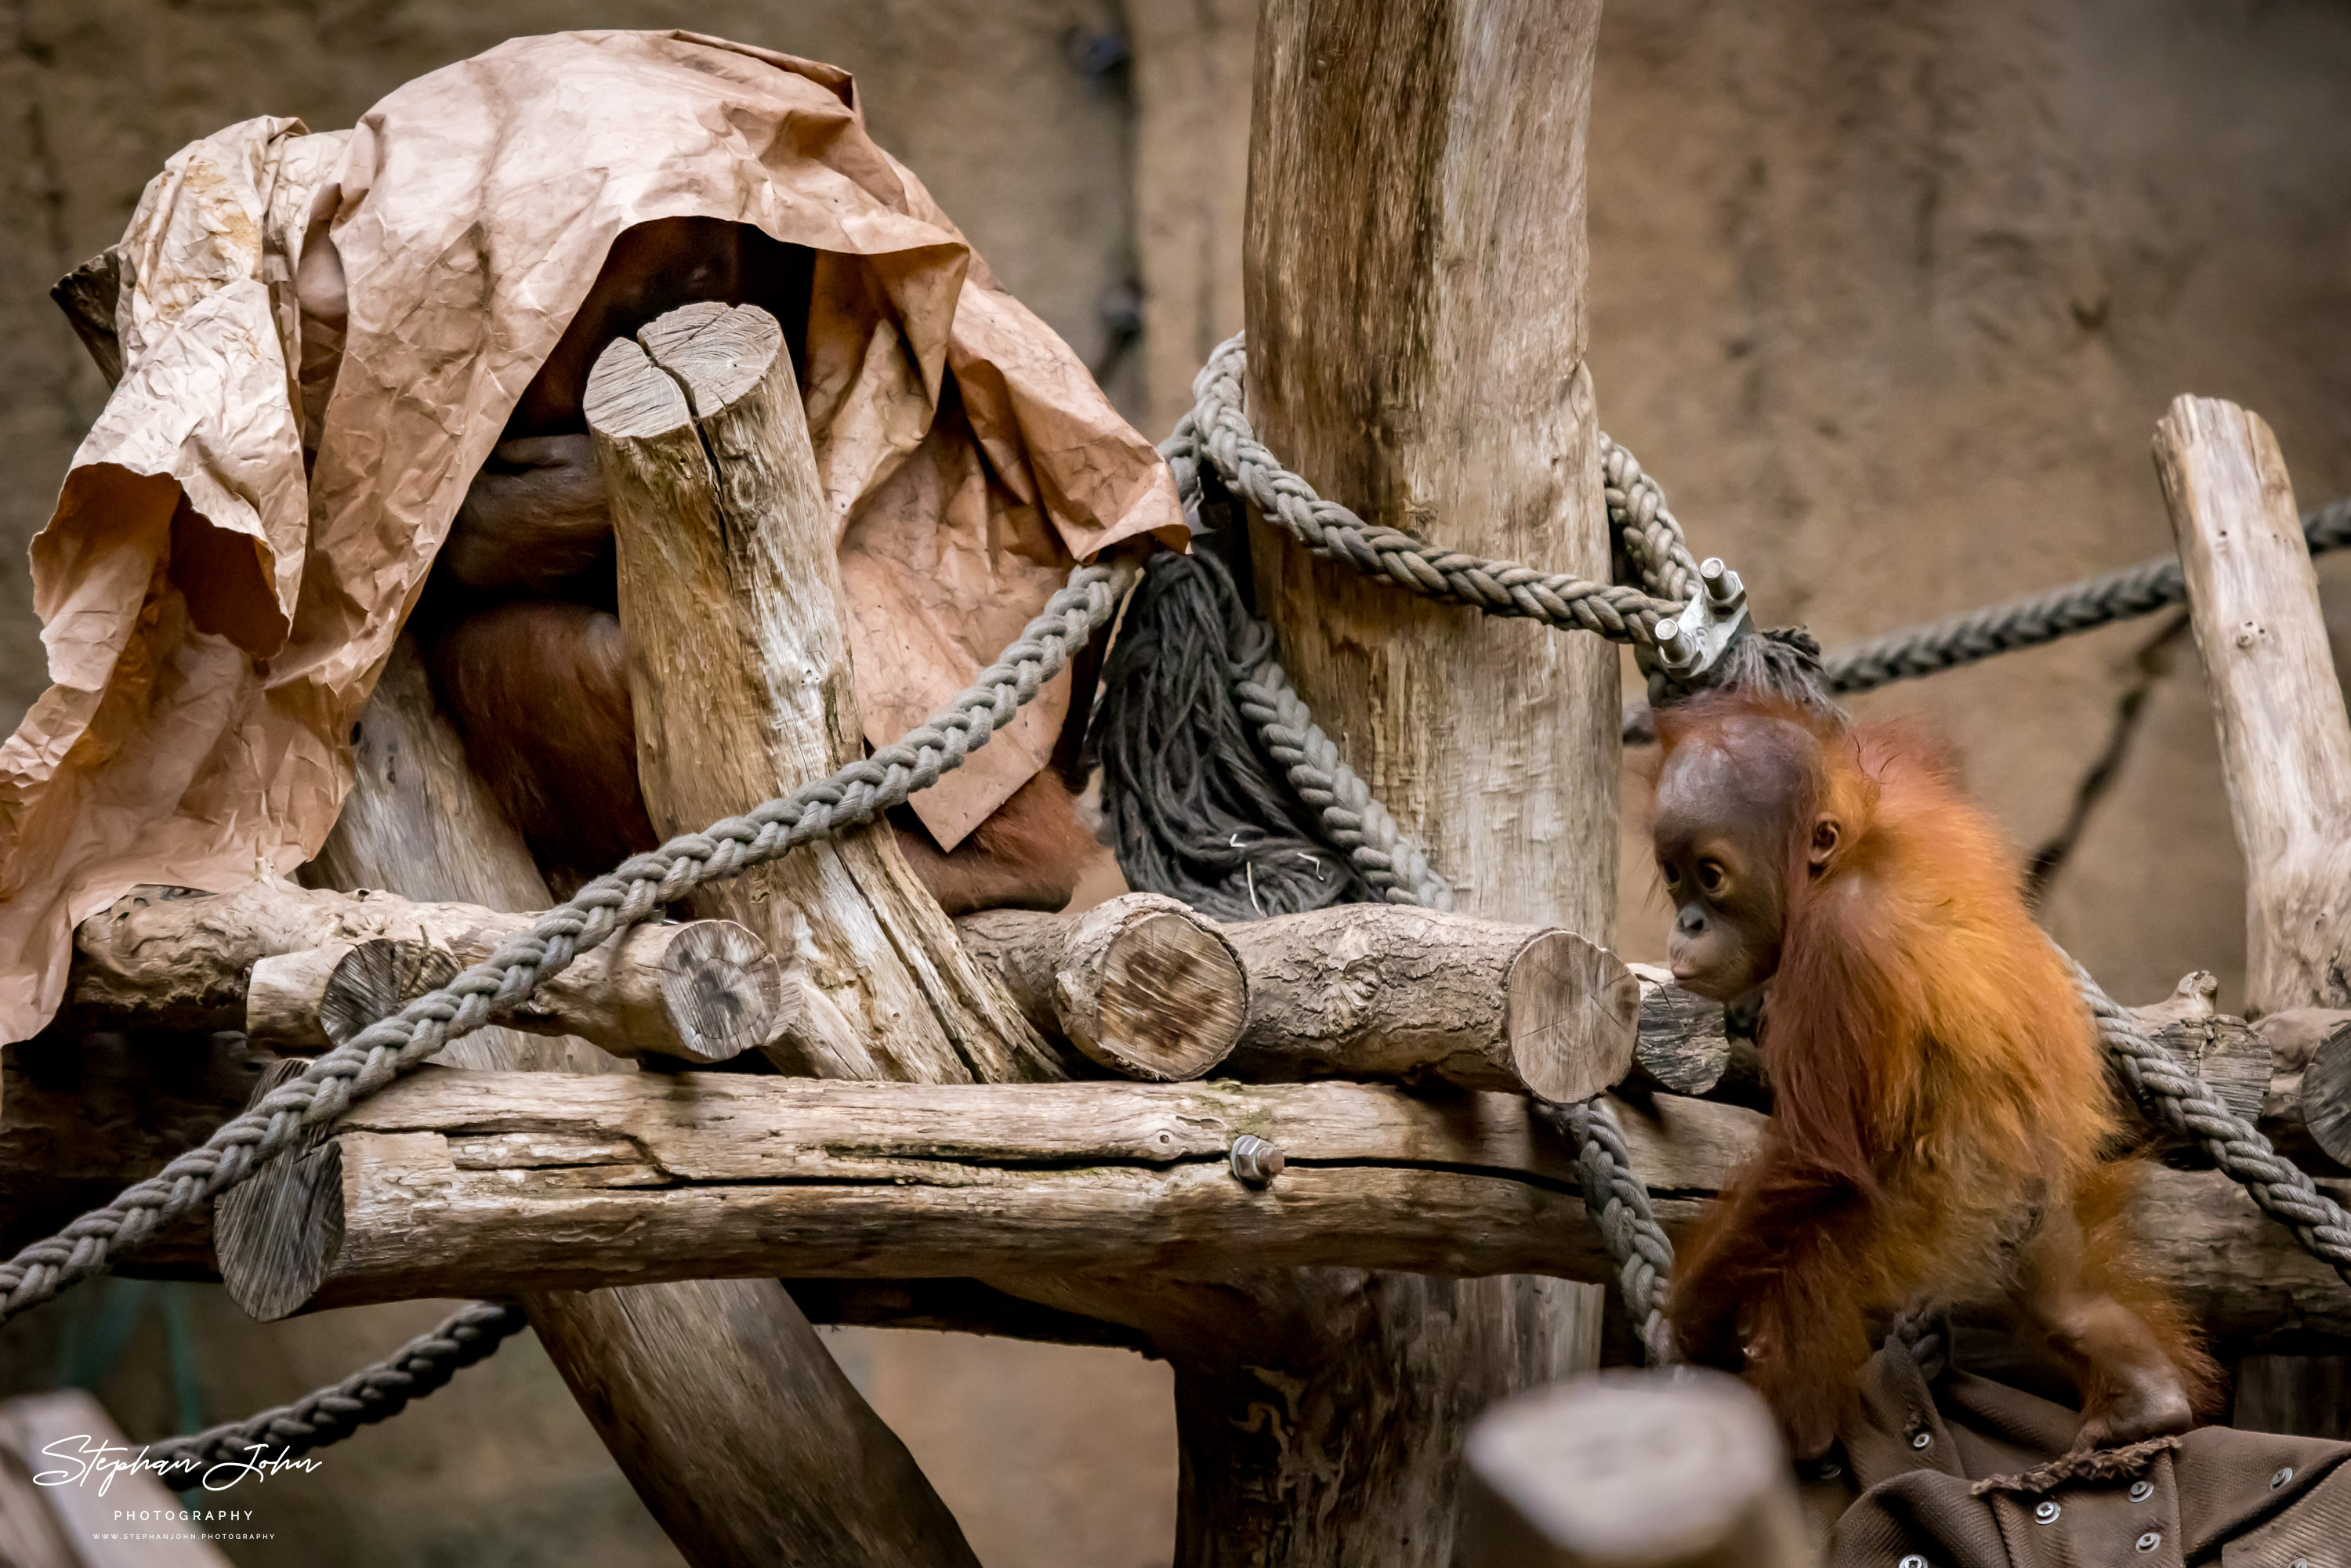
(2188, 1106)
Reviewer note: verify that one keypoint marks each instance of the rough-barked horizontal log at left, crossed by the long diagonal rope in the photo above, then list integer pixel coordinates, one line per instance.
(297, 967)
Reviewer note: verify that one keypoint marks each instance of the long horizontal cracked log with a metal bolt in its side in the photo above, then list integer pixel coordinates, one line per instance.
(457, 1184)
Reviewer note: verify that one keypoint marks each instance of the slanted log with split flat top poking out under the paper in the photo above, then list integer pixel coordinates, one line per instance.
(730, 596)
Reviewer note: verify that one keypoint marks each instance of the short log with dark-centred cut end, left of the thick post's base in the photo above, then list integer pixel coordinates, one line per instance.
(1139, 984)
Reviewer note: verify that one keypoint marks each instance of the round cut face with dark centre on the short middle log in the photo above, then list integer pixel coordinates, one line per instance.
(1167, 1005)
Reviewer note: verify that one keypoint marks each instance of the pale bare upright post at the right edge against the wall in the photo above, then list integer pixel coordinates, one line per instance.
(2284, 735)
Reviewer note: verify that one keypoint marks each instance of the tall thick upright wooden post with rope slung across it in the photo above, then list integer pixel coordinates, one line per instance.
(1414, 281)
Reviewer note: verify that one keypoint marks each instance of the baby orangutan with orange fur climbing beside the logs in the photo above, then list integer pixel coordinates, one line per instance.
(1941, 1101)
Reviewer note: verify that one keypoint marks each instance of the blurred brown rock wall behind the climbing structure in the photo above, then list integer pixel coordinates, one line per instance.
(1887, 293)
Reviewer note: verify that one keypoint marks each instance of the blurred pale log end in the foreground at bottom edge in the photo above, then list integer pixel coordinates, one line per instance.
(1633, 1470)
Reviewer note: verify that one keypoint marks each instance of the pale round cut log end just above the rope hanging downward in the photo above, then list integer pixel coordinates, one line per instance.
(1572, 1012)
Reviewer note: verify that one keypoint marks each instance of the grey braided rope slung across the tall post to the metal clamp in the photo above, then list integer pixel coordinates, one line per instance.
(1219, 431)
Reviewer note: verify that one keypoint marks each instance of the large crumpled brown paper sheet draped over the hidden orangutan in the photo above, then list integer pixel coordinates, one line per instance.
(217, 612)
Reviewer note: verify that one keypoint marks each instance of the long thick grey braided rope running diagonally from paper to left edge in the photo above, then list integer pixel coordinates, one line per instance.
(594, 916)
